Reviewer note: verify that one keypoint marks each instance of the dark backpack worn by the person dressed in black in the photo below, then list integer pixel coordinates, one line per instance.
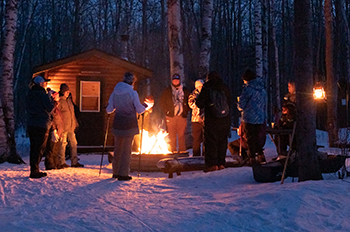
(219, 106)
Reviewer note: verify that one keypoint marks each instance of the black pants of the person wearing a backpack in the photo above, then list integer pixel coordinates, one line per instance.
(215, 136)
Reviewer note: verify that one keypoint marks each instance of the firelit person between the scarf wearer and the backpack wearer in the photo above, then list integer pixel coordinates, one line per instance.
(197, 119)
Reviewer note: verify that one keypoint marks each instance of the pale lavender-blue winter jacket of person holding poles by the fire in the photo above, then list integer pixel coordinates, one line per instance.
(125, 101)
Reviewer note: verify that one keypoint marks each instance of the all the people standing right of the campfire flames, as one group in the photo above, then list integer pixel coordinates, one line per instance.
(212, 131)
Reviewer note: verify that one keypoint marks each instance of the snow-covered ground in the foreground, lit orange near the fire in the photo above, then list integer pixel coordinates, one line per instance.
(78, 199)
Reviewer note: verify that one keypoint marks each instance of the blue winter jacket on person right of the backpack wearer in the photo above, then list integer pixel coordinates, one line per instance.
(252, 102)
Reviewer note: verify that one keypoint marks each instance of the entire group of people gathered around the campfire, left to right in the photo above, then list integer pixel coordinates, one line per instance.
(52, 122)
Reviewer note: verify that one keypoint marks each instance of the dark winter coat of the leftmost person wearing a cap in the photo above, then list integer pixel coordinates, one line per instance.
(38, 107)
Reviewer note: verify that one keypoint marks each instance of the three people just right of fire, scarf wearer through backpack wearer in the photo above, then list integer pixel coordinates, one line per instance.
(176, 102)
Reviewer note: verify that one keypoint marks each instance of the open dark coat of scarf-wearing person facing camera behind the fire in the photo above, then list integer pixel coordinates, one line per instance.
(167, 105)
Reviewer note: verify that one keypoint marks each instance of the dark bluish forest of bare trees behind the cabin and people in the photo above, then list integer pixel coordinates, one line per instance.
(47, 30)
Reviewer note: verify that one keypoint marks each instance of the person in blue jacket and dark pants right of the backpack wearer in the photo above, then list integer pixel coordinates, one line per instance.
(252, 104)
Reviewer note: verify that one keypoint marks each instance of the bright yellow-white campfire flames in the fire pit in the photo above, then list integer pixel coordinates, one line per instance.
(155, 144)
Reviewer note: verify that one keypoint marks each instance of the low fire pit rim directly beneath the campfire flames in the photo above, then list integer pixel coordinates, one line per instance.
(148, 162)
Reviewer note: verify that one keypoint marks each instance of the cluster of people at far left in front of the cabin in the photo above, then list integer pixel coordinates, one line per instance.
(51, 124)
